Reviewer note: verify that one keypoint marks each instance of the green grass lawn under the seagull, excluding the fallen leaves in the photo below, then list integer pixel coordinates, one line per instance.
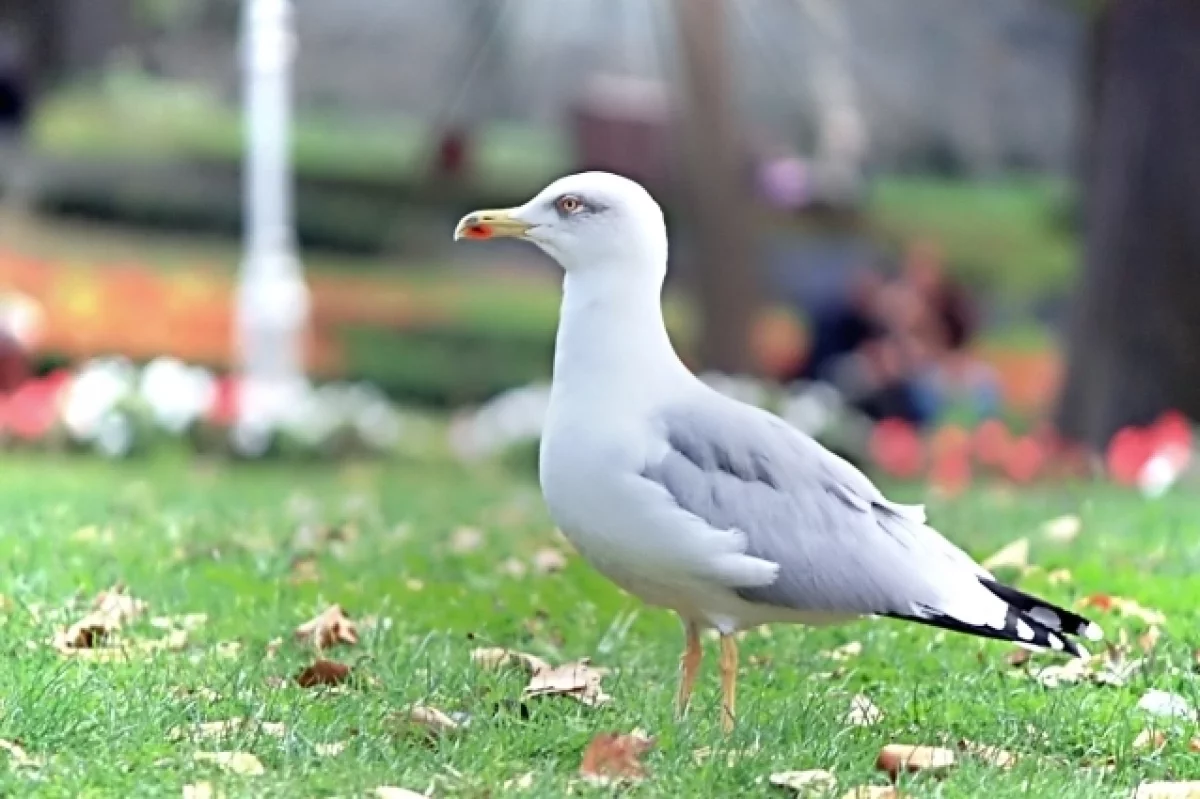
(262, 550)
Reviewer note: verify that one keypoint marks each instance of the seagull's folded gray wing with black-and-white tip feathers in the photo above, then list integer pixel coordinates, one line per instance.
(841, 545)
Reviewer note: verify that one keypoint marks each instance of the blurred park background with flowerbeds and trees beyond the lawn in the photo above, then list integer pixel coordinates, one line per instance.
(943, 236)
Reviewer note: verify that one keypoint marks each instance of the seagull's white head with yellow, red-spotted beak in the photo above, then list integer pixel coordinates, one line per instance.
(587, 223)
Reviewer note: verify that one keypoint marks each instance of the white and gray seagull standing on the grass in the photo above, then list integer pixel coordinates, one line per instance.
(709, 507)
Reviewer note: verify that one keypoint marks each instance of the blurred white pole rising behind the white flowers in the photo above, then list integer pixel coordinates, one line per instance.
(273, 299)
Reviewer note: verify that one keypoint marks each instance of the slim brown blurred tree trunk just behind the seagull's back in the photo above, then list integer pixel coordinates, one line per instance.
(725, 263)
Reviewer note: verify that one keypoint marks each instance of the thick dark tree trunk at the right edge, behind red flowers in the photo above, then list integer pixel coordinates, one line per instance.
(1135, 340)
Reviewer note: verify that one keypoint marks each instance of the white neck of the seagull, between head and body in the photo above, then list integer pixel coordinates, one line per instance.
(613, 337)
